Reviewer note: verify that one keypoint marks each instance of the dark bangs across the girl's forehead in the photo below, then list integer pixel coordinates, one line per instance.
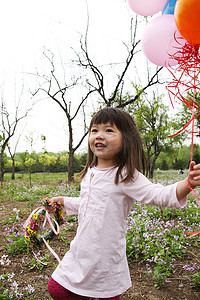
(106, 115)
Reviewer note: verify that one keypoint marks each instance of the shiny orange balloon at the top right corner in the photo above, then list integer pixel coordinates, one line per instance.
(187, 17)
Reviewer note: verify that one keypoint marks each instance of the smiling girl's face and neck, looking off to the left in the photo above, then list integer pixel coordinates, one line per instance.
(105, 141)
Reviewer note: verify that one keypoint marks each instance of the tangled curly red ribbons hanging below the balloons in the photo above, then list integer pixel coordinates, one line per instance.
(188, 59)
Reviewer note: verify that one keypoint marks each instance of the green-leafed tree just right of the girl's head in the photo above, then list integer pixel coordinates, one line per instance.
(153, 122)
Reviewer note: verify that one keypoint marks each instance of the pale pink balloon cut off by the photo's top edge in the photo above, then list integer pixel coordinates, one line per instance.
(146, 7)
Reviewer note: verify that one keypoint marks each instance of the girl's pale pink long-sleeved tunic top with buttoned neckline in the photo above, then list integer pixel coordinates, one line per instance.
(96, 264)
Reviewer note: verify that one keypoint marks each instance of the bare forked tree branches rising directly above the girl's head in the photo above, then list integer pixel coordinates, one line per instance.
(98, 80)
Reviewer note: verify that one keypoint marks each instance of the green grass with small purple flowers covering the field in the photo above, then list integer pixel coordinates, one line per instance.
(155, 236)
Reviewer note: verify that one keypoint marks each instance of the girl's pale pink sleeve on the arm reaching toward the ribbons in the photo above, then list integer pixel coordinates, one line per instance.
(146, 192)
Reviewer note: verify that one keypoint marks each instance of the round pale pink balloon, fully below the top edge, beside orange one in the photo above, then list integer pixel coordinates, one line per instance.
(161, 39)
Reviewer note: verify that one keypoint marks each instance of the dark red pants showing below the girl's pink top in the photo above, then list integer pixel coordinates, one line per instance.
(58, 292)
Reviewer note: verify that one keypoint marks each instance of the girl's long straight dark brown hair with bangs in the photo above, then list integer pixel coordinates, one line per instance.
(132, 154)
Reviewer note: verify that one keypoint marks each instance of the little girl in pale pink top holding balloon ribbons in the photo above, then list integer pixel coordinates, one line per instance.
(96, 264)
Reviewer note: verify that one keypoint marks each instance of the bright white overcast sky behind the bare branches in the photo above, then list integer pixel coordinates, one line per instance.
(27, 28)
